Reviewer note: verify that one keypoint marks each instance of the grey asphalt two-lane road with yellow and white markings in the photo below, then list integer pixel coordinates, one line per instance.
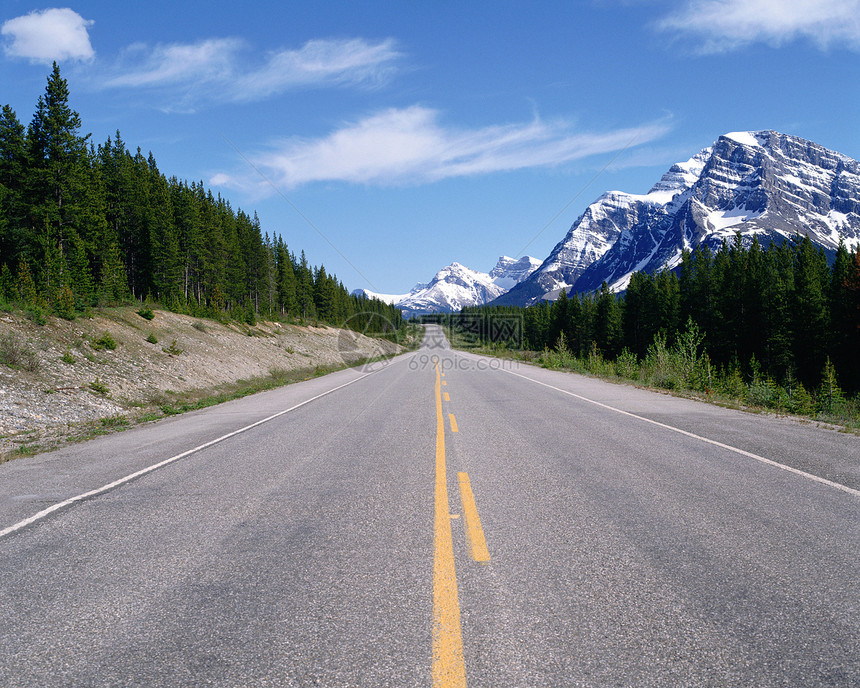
(442, 520)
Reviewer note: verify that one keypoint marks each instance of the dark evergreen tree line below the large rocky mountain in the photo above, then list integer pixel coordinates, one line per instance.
(784, 311)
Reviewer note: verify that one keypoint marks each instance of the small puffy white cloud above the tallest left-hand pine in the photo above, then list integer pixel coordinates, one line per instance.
(48, 35)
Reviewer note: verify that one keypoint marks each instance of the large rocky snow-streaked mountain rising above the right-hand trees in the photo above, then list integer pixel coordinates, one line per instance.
(759, 183)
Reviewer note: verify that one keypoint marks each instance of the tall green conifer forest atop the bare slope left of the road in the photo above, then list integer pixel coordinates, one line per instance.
(85, 225)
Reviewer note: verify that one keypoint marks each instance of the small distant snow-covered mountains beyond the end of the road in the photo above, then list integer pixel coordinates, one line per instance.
(455, 287)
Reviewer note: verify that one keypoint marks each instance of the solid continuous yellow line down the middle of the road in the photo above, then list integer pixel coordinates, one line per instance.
(449, 668)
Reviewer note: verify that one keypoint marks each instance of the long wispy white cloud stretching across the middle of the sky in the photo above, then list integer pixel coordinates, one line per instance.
(409, 146)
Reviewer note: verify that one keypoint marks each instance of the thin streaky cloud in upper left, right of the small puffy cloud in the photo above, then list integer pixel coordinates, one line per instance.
(218, 69)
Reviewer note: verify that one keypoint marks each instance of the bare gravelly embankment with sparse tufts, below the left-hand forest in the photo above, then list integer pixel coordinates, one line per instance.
(62, 381)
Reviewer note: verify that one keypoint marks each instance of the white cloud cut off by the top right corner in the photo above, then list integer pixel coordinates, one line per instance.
(729, 24)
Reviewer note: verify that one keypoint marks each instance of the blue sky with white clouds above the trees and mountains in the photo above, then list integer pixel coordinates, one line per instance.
(390, 139)
